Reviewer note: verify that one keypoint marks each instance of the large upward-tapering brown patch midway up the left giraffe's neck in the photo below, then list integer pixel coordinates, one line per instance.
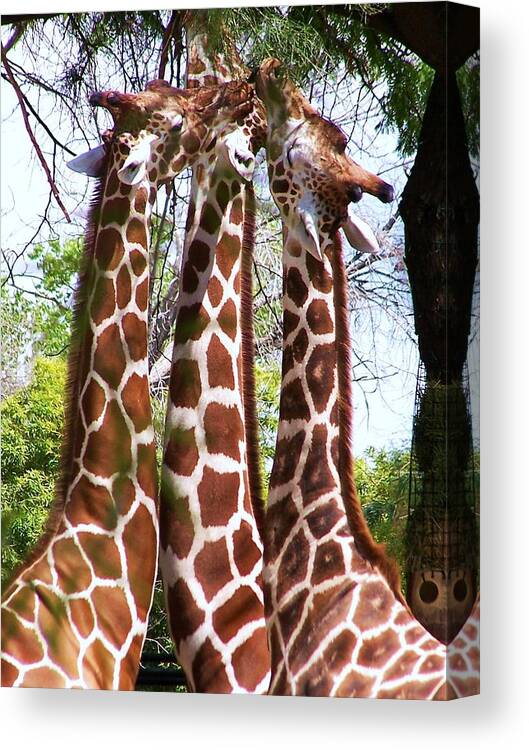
(108, 449)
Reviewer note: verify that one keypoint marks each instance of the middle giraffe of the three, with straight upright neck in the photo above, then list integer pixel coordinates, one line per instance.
(211, 497)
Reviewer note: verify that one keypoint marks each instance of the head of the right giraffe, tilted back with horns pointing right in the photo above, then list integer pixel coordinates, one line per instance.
(312, 179)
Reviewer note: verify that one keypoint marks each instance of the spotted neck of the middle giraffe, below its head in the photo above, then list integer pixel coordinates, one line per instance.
(210, 547)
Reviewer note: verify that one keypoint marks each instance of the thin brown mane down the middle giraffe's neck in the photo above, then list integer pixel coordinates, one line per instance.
(255, 478)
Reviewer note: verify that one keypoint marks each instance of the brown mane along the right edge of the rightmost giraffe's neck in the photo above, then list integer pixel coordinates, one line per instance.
(374, 552)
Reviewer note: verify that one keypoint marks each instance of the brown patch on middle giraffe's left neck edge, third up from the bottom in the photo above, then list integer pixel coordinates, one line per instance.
(176, 523)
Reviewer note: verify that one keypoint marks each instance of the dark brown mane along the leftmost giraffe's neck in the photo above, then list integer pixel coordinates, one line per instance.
(71, 392)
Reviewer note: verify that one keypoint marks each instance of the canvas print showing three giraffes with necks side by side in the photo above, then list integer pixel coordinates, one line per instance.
(240, 372)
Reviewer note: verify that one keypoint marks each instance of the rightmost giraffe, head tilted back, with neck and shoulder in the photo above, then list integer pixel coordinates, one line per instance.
(338, 624)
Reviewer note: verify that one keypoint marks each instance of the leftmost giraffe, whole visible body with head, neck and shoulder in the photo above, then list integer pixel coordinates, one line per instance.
(75, 614)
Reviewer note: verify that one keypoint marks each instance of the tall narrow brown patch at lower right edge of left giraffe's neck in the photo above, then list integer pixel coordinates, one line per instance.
(140, 542)
